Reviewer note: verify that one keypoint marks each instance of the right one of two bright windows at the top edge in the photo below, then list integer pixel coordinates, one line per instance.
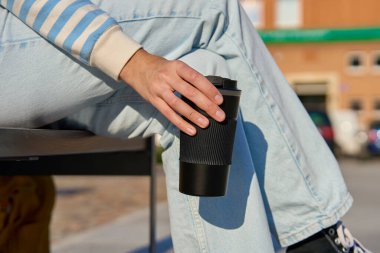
(288, 14)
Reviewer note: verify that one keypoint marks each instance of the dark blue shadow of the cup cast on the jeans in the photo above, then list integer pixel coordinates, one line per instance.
(229, 211)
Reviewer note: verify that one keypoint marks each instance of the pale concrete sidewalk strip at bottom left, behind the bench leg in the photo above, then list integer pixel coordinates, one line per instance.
(128, 234)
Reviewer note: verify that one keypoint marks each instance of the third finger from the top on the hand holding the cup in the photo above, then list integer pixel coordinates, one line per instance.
(184, 109)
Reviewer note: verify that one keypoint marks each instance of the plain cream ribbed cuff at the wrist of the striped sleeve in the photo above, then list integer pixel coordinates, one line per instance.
(112, 51)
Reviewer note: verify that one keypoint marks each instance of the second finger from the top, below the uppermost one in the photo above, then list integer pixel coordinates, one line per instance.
(199, 99)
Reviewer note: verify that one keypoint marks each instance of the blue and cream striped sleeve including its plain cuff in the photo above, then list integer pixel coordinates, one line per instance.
(80, 28)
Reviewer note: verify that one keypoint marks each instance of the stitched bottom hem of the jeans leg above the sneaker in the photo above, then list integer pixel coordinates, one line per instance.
(315, 227)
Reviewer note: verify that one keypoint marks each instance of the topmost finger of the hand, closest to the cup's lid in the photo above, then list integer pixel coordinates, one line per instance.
(200, 82)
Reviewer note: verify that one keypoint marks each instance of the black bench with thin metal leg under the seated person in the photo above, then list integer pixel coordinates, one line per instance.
(73, 152)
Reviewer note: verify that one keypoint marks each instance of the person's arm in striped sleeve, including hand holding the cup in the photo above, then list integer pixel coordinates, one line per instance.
(91, 35)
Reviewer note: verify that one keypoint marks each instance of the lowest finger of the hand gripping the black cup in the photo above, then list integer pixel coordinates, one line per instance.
(174, 118)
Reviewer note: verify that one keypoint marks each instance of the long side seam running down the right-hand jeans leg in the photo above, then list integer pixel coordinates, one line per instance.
(271, 107)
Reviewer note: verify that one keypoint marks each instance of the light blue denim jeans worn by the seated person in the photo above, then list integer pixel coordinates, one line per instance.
(284, 185)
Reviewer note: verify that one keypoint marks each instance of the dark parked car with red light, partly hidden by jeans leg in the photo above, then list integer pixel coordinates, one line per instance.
(323, 123)
